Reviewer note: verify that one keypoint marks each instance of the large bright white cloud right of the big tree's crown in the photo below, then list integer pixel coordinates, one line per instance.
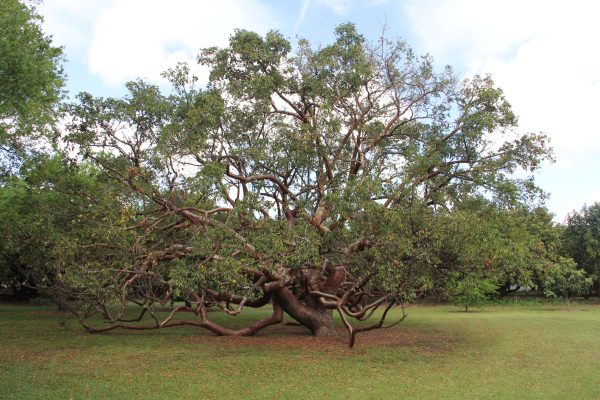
(542, 53)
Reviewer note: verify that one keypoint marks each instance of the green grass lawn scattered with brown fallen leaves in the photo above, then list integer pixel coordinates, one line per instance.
(518, 352)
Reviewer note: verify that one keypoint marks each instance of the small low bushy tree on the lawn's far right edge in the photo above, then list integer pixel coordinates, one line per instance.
(566, 282)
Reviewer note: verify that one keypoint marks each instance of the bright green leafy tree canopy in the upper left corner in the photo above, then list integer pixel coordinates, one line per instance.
(31, 80)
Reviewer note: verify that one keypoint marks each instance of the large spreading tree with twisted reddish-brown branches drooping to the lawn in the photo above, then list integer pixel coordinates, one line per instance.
(315, 180)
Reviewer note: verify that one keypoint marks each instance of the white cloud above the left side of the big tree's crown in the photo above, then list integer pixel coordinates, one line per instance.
(141, 39)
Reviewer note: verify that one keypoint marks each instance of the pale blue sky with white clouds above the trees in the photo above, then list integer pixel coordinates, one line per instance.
(543, 54)
